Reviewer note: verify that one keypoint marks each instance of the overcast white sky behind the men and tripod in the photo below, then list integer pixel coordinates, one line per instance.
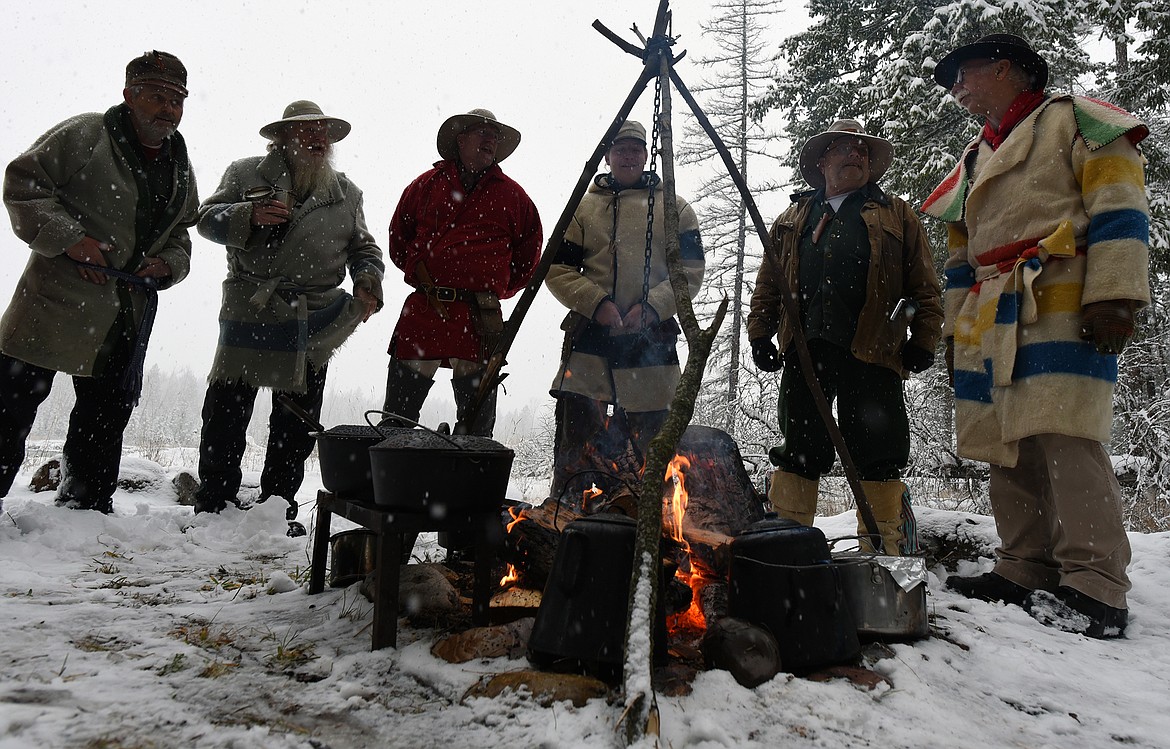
(396, 71)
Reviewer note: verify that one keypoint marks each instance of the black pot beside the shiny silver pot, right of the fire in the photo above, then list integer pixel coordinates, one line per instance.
(782, 578)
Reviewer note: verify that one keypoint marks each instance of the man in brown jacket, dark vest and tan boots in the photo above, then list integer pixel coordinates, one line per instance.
(859, 263)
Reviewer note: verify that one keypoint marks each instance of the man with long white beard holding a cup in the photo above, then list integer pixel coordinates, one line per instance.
(292, 225)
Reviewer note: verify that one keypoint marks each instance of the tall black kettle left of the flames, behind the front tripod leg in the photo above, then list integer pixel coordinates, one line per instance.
(581, 626)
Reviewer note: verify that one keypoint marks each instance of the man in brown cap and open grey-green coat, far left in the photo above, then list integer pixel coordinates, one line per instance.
(105, 202)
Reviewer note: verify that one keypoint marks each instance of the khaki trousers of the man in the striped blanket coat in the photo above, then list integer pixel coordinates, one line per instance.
(1058, 513)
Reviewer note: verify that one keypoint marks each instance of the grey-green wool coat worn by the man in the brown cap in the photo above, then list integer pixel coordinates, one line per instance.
(82, 178)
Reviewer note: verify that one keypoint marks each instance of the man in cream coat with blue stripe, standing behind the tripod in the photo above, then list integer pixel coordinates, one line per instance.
(620, 366)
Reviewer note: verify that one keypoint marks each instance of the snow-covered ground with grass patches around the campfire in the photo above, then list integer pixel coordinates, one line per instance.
(153, 628)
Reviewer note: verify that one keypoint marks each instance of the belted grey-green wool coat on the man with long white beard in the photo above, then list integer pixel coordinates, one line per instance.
(283, 310)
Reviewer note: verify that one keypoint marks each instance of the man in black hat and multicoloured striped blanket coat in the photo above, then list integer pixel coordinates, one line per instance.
(1049, 232)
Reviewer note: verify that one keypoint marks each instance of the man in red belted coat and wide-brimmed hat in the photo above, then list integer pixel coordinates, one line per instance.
(465, 236)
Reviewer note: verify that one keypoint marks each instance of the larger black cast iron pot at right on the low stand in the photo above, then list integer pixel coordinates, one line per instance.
(424, 471)
